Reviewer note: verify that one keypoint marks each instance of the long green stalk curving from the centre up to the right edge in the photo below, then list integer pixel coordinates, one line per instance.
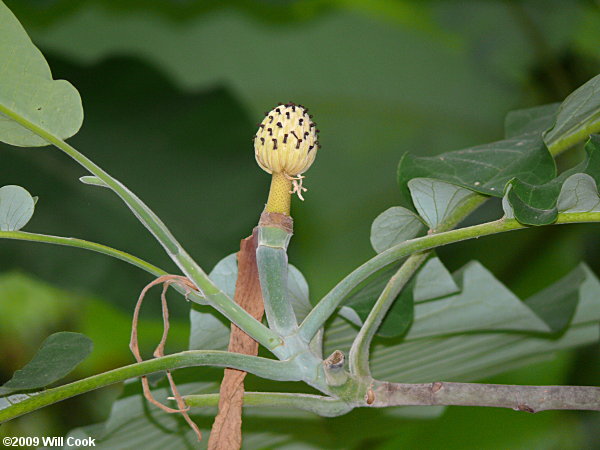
(327, 306)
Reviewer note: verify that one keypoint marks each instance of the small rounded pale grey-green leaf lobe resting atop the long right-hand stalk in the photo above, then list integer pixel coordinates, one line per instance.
(394, 225)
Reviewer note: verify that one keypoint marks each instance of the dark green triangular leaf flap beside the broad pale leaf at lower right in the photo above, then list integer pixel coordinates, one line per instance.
(557, 303)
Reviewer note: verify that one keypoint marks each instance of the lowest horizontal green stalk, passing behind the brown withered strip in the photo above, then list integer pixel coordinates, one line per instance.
(318, 404)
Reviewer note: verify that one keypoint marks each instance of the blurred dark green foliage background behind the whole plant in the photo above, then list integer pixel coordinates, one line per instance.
(172, 91)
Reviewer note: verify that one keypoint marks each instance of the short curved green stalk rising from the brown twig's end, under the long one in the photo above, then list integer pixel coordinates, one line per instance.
(359, 353)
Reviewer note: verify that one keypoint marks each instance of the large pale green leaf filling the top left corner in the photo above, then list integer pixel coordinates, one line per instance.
(28, 92)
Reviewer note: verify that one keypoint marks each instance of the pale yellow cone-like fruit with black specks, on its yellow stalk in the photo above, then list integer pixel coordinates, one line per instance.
(285, 146)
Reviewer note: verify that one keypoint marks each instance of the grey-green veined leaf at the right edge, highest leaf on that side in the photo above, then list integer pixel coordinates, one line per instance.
(578, 115)
